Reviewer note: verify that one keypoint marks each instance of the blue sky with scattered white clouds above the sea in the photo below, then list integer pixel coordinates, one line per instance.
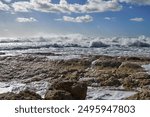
(89, 17)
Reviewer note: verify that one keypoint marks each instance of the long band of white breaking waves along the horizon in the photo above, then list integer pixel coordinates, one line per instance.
(78, 41)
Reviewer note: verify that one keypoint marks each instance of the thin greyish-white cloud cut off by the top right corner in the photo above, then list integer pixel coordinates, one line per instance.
(139, 2)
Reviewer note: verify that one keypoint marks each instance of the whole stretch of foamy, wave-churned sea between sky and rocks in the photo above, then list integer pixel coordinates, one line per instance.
(74, 45)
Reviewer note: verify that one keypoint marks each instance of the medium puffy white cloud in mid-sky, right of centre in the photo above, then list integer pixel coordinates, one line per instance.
(80, 19)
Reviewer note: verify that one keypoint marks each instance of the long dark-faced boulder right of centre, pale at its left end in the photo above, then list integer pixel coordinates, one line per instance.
(106, 63)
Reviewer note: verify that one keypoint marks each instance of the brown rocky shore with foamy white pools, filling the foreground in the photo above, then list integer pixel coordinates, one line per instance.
(37, 77)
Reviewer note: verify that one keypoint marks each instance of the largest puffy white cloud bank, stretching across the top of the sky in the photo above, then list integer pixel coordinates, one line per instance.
(64, 7)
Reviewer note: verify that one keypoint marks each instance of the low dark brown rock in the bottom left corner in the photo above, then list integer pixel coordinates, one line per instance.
(23, 95)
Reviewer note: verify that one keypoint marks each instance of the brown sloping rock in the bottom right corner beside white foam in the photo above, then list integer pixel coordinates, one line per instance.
(143, 95)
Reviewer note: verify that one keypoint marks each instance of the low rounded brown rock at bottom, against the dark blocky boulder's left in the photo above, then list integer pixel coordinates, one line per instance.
(58, 95)
